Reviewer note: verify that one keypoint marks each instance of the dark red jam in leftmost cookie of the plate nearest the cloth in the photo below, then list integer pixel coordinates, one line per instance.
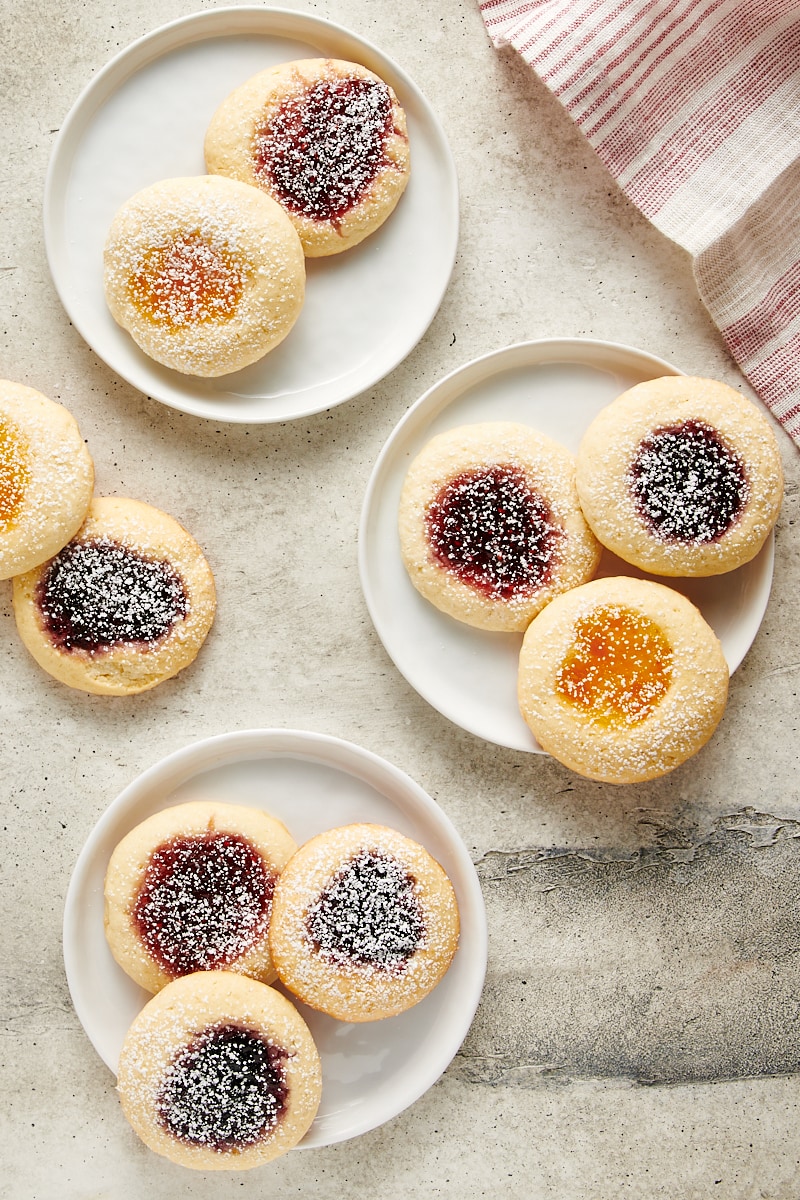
(494, 532)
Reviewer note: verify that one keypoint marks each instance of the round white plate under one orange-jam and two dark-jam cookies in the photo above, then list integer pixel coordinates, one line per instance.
(558, 387)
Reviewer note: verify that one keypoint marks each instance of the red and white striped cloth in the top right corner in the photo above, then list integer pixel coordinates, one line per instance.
(695, 109)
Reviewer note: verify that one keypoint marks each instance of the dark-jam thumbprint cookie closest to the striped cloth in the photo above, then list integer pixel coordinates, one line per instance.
(682, 477)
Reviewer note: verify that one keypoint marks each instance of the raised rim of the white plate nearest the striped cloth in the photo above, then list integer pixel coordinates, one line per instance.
(534, 352)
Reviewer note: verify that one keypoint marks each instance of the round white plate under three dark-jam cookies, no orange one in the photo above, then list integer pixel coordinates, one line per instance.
(371, 1072)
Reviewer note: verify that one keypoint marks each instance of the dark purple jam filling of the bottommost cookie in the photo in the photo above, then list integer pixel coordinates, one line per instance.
(226, 1090)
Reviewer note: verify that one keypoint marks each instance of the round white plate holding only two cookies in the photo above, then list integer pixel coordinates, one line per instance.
(143, 118)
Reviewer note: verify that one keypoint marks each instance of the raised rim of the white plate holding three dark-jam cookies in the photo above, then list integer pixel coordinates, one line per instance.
(239, 746)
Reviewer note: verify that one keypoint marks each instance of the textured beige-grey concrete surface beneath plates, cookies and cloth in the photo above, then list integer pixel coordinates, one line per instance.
(639, 1034)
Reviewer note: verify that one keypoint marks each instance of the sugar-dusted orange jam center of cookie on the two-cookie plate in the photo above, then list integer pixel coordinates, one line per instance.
(189, 280)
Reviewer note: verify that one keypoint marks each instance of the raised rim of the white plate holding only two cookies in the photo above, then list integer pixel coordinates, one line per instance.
(146, 50)
